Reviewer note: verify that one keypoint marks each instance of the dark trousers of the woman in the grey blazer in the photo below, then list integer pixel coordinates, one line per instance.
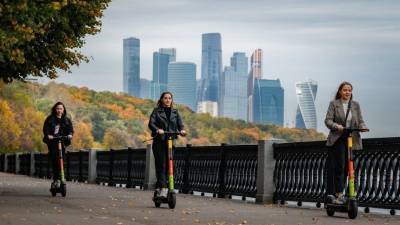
(337, 170)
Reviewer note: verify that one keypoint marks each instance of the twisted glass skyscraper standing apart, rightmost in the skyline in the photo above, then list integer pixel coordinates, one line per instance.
(306, 115)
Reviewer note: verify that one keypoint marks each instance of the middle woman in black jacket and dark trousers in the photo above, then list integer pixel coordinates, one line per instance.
(163, 118)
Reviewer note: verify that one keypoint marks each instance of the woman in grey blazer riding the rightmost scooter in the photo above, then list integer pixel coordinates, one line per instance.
(343, 112)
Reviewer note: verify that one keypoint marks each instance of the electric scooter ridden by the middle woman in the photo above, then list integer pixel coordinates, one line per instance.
(171, 197)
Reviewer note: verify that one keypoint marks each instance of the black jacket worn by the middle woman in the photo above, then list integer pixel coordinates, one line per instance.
(158, 120)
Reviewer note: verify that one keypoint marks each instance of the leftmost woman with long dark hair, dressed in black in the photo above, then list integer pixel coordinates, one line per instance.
(57, 124)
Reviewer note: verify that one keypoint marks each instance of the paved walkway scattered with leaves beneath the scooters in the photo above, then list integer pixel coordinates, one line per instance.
(25, 200)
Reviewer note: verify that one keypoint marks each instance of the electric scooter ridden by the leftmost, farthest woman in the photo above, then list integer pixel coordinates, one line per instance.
(62, 187)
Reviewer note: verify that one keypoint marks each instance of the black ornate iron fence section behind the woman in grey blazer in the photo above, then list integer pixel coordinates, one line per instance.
(301, 172)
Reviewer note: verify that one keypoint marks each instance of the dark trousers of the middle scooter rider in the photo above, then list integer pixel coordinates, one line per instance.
(160, 152)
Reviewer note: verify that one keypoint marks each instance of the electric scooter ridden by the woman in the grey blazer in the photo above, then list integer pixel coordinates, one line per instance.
(350, 205)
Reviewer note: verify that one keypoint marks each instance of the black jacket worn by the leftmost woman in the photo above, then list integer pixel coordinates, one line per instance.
(49, 126)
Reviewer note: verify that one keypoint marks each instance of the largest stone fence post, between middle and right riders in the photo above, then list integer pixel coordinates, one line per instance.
(265, 171)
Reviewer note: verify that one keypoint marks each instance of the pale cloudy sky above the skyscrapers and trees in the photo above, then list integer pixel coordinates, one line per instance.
(326, 41)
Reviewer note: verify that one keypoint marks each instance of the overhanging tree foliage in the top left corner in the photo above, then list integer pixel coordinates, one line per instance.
(40, 37)
